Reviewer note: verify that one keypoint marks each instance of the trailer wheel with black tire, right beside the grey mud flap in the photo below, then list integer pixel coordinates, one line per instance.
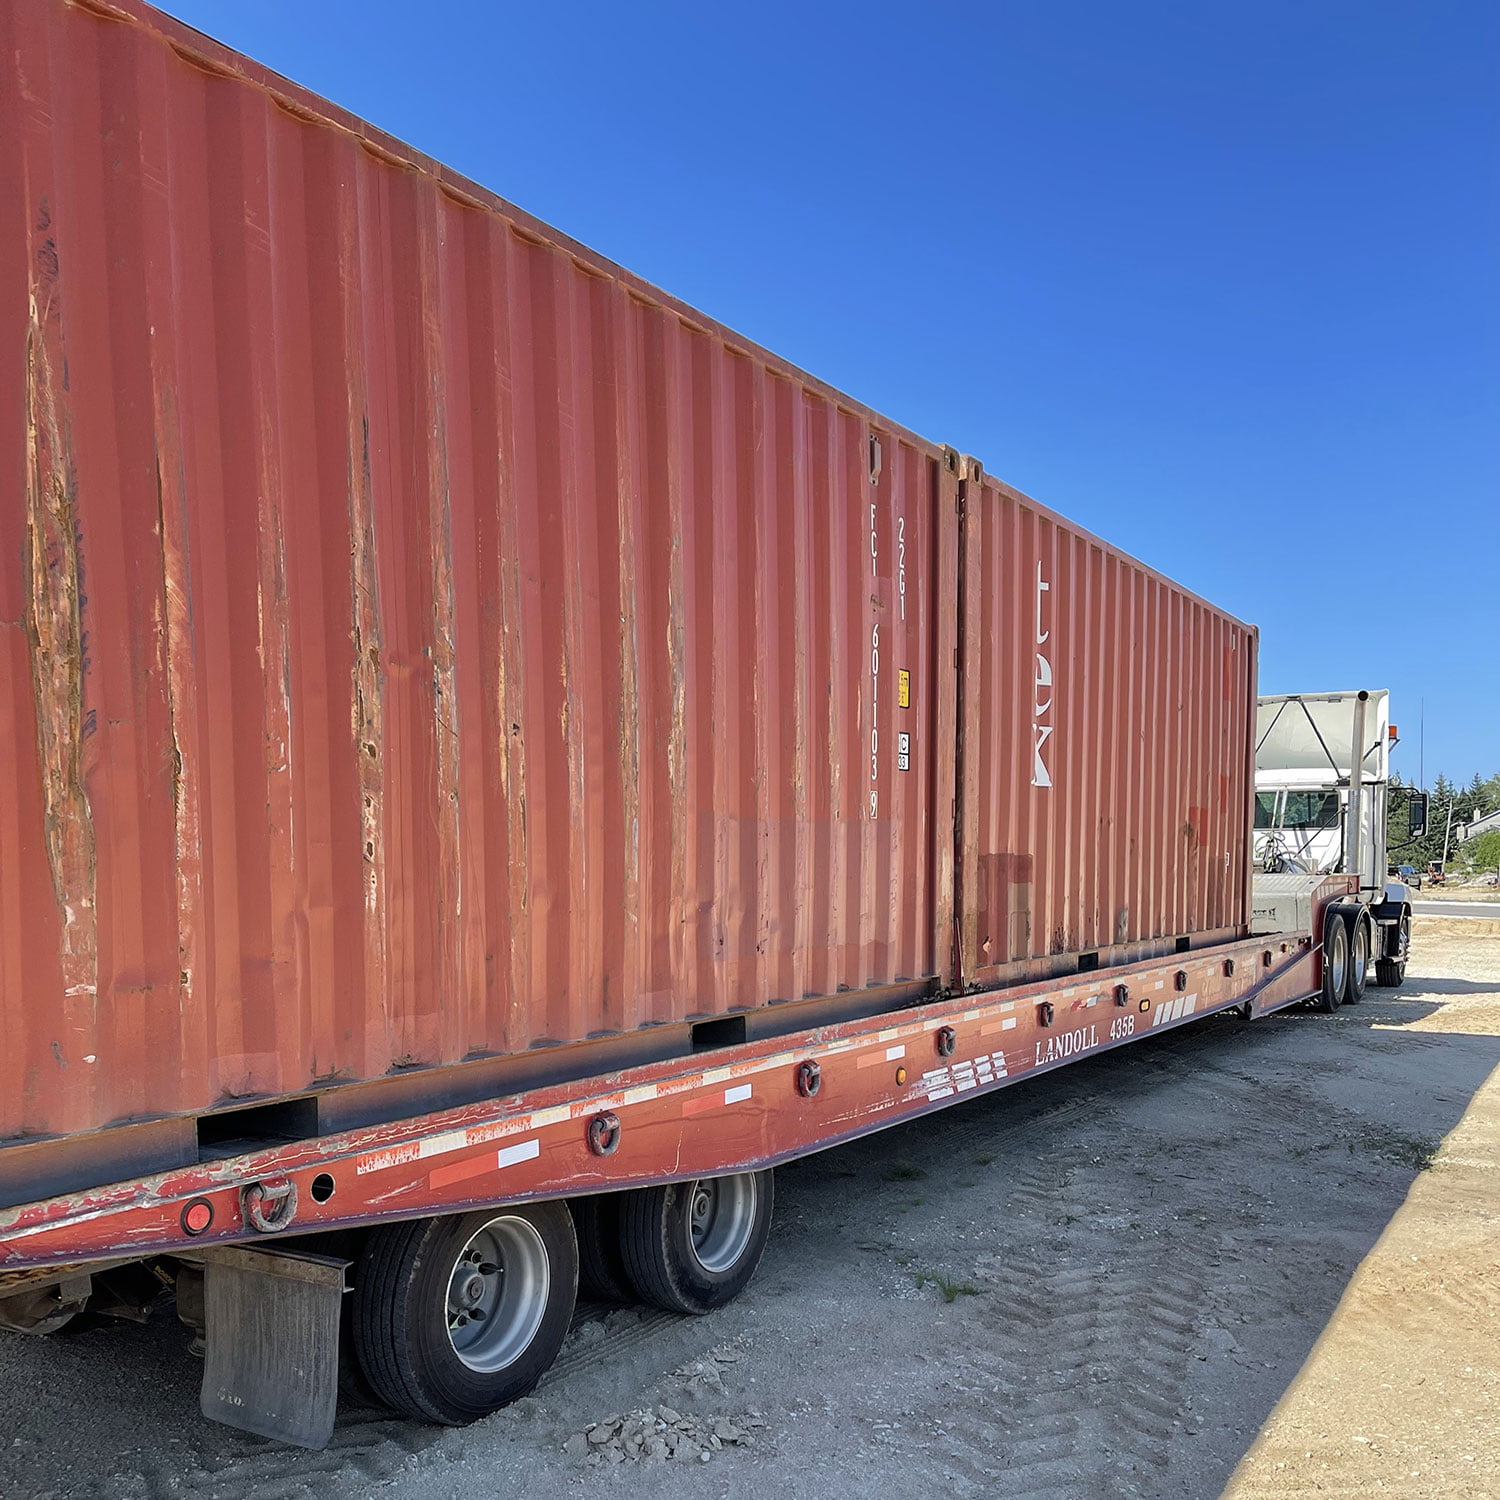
(455, 1318)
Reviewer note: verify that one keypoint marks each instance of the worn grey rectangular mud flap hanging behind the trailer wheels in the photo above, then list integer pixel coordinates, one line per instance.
(272, 1358)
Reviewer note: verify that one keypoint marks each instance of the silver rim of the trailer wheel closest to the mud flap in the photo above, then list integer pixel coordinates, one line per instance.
(499, 1294)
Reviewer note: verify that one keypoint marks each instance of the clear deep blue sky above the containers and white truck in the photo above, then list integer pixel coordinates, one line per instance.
(1222, 283)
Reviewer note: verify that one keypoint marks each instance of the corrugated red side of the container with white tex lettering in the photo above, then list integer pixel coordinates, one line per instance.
(1106, 763)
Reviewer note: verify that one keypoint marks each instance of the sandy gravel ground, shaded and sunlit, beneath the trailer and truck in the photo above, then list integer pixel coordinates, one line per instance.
(1135, 1279)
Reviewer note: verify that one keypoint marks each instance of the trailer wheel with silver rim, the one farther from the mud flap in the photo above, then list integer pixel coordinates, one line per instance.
(692, 1247)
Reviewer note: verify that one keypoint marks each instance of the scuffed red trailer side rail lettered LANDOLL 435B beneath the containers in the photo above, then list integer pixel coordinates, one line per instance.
(733, 1111)
